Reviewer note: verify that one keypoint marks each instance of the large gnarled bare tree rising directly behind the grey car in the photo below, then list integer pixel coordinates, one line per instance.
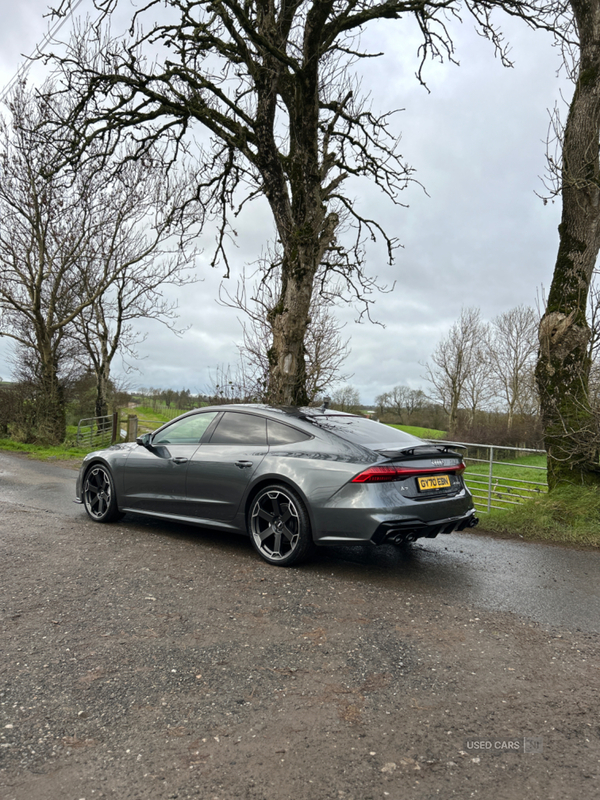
(272, 84)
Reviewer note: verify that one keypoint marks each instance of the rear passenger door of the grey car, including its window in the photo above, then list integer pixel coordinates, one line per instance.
(221, 468)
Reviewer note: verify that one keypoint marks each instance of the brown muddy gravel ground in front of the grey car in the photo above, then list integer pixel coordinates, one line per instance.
(142, 660)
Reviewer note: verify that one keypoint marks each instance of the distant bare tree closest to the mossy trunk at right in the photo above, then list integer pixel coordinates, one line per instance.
(512, 352)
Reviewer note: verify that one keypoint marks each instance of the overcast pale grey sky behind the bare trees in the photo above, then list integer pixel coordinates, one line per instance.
(479, 237)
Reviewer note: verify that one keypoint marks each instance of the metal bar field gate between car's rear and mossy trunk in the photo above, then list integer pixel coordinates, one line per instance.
(500, 477)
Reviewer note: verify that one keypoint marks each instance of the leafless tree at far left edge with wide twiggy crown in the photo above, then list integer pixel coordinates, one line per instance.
(61, 243)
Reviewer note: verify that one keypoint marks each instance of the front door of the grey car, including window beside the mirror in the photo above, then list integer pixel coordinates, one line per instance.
(154, 476)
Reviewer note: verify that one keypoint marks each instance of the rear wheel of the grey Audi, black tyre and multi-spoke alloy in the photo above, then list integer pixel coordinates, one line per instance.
(279, 526)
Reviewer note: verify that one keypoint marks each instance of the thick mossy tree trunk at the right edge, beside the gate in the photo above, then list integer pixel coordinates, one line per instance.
(563, 366)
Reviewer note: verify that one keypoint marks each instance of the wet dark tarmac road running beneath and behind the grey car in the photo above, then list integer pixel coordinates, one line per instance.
(550, 585)
